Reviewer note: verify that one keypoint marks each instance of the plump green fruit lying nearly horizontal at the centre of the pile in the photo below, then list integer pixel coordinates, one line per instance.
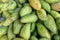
(29, 18)
